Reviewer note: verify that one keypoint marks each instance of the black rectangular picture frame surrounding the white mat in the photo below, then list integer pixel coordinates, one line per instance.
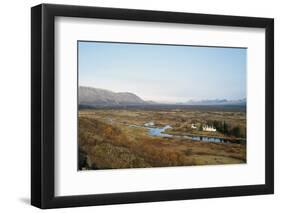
(43, 102)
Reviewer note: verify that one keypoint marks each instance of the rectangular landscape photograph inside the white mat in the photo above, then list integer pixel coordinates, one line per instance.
(160, 105)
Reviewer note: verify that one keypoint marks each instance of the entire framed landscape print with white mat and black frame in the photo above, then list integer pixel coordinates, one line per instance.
(139, 106)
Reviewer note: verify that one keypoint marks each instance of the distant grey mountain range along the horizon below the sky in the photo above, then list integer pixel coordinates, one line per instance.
(89, 96)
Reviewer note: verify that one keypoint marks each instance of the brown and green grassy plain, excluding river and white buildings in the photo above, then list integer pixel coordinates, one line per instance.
(118, 138)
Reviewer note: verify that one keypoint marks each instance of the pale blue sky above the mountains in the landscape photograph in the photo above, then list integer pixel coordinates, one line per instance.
(166, 73)
